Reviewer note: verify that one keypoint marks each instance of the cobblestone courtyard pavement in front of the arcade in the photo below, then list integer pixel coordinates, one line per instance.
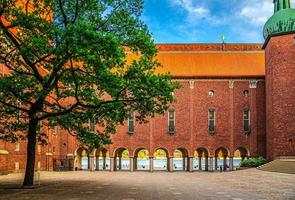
(239, 185)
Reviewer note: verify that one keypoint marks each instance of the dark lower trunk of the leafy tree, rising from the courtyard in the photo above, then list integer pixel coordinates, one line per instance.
(31, 148)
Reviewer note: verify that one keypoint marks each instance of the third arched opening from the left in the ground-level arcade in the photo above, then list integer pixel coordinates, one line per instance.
(121, 160)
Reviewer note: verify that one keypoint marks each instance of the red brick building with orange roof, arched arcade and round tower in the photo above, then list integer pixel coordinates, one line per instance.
(236, 100)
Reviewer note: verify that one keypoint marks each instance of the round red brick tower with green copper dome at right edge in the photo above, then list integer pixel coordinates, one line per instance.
(279, 32)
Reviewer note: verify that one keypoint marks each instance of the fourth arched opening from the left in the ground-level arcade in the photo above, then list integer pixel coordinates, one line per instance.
(142, 161)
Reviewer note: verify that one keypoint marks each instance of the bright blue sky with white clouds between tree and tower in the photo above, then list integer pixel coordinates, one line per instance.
(205, 21)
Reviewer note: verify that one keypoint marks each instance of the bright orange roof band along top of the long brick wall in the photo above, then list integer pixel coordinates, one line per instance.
(211, 60)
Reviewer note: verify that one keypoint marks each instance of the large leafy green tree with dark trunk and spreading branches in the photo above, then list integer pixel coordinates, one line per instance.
(69, 62)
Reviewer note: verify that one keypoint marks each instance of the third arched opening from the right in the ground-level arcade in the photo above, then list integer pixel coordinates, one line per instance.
(201, 156)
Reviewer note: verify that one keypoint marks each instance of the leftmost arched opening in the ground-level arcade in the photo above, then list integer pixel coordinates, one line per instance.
(81, 159)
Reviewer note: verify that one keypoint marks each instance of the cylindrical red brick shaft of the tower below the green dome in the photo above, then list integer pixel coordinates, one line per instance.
(280, 96)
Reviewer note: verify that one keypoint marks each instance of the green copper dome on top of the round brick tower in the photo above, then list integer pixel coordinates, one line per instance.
(282, 21)
